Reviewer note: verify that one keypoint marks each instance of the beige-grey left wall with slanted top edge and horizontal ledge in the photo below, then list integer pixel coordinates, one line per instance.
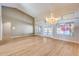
(21, 24)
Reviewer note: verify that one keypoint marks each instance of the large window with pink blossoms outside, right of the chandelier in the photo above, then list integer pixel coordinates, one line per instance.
(65, 29)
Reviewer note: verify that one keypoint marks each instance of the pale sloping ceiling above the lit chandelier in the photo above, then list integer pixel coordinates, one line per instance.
(44, 9)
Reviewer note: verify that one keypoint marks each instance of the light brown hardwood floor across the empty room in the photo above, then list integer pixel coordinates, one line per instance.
(38, 46)
